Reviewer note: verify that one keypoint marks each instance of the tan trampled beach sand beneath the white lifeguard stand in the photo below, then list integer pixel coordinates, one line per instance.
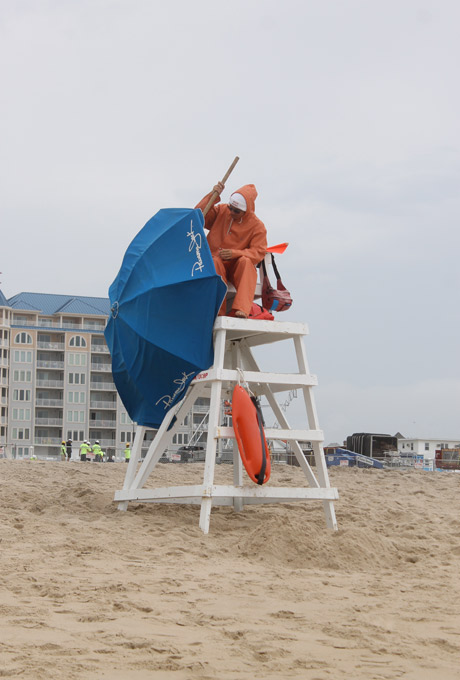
(90, 592)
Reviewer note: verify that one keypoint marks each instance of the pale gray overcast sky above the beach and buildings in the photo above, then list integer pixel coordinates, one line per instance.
(345, 114)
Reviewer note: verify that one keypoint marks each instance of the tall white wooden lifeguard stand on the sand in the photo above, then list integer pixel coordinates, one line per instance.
(234, 340)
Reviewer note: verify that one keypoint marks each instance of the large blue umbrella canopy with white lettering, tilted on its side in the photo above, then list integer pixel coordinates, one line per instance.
(164, 302)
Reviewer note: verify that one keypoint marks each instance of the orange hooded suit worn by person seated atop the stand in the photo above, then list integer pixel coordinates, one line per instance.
(246, 236)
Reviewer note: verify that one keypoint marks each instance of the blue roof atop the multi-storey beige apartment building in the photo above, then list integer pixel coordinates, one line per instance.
(47, 303)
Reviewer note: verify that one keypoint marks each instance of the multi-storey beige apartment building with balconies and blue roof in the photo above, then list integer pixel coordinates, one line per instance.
(55, 376)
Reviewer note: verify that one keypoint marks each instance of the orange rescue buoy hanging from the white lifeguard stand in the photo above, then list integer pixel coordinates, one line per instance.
(250, 436)
